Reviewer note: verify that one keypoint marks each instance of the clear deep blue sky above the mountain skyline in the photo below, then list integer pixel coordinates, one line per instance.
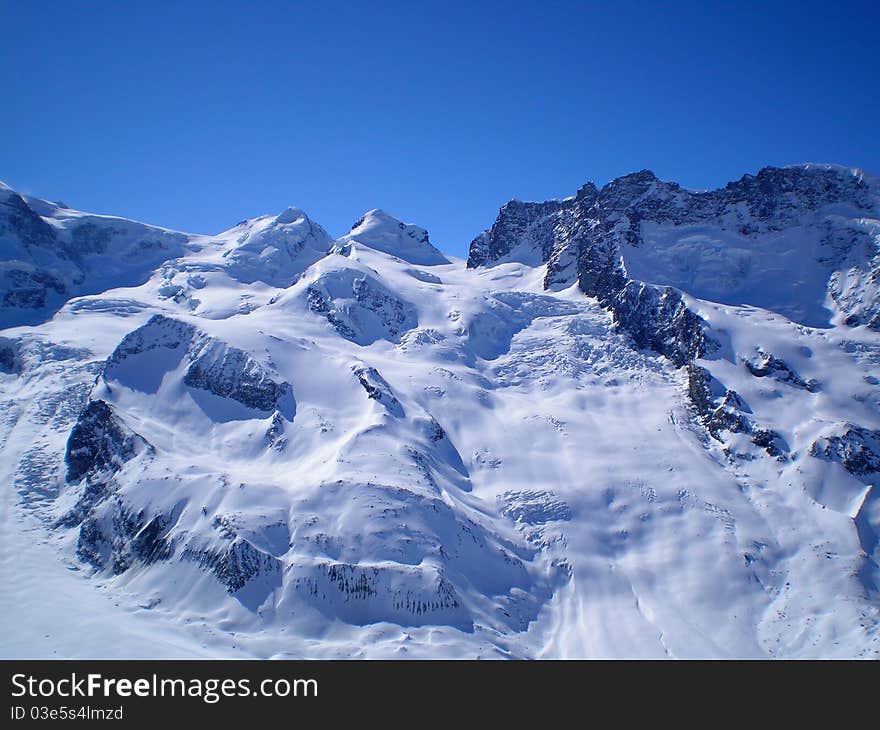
(197, 115)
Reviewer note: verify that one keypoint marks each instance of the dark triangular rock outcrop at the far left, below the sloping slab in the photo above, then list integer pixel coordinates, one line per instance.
(99, 442)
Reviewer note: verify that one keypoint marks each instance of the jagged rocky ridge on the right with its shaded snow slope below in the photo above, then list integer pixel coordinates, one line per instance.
(604, 239)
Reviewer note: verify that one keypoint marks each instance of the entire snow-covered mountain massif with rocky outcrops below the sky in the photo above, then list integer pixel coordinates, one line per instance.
(640, 421)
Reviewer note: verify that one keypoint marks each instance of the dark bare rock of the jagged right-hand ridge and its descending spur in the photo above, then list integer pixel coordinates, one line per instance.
(580, 239)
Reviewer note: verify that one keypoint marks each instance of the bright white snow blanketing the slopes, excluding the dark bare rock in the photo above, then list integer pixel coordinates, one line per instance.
(474, 466)
